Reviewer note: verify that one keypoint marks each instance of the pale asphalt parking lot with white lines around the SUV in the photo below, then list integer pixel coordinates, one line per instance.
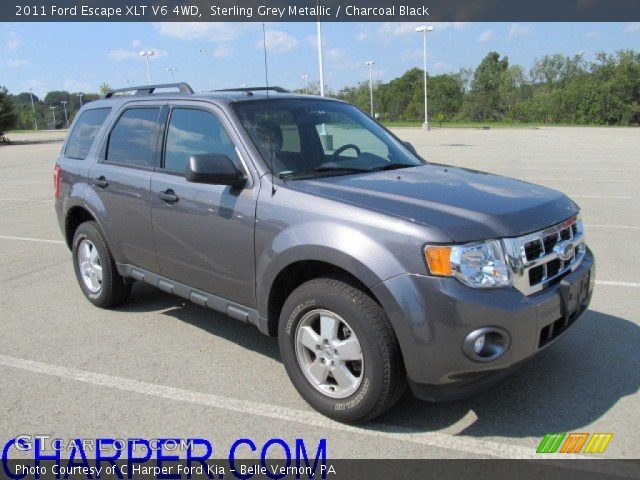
(158, 366)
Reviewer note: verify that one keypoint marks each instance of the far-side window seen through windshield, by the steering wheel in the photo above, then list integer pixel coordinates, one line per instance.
(342, 130)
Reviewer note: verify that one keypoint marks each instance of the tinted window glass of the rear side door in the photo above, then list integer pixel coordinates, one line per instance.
(132, 140)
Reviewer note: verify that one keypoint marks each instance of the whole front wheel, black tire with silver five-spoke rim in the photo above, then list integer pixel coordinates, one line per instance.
(381, 374)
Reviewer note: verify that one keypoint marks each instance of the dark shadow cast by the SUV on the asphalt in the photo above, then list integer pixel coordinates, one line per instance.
(568, 386)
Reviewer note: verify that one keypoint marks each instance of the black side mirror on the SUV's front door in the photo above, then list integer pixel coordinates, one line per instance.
(213, 169)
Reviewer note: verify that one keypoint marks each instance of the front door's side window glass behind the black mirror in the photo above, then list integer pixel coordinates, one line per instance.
(191, 132)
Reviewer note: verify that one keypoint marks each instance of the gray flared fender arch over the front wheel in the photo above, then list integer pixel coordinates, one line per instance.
(337, 244)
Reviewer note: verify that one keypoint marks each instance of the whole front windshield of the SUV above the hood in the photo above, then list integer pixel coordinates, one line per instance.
(308, 138)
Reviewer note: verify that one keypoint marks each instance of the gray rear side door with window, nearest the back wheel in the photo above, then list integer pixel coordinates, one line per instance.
(121, 179)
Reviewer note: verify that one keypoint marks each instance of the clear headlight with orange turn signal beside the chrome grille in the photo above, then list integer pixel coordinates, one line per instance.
(478, 265)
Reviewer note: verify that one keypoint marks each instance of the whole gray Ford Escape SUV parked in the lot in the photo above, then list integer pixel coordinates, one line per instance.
(306, 218)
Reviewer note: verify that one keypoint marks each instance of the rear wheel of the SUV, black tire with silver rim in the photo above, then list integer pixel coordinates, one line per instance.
(105, 291)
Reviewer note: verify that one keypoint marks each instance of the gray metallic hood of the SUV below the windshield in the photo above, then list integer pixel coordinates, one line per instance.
(466, 205)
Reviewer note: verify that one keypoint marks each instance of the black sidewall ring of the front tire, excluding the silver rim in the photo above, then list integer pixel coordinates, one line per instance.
(311, 297)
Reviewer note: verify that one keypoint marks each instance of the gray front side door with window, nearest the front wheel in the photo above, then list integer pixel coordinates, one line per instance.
(204, 234)
